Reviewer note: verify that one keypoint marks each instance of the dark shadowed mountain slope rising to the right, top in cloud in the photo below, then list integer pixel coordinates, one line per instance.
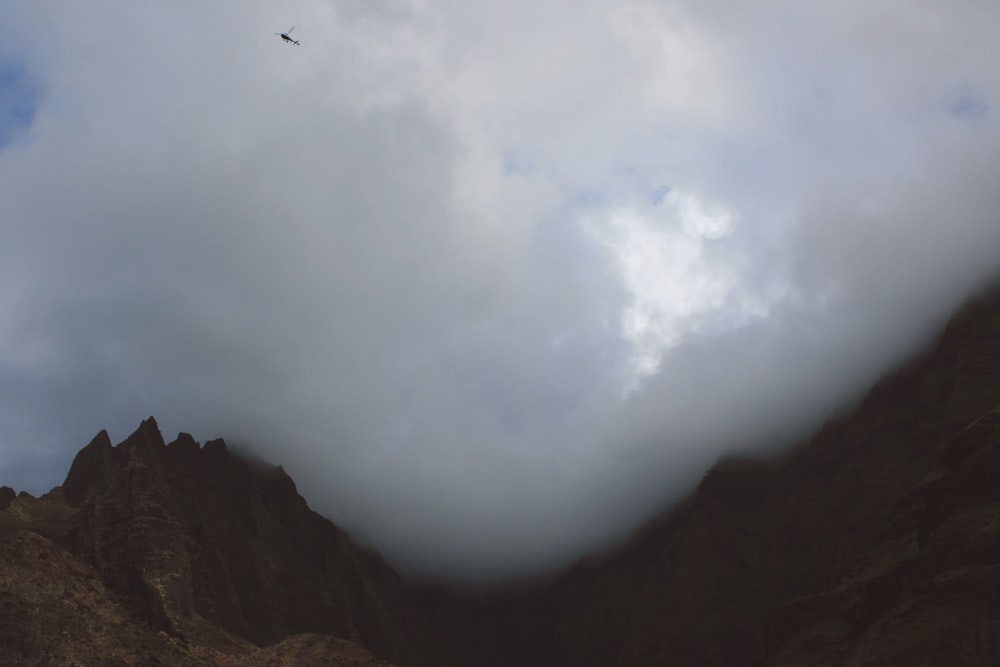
(876, 542)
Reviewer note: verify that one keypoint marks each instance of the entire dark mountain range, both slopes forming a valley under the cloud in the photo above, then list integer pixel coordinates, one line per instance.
(875, 542)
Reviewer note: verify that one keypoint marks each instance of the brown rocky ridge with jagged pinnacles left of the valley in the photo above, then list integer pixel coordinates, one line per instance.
(200, 548)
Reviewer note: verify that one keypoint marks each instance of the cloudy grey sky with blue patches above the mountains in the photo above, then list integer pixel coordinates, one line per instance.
(493, 281)
